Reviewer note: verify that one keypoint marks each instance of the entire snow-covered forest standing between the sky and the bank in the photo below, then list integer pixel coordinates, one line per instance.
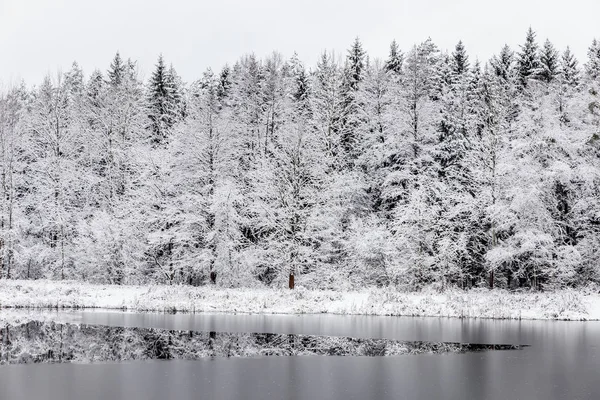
(428, 168)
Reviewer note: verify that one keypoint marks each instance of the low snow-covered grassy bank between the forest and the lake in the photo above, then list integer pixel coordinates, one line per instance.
(480, 303)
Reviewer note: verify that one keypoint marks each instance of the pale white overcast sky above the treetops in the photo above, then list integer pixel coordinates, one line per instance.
(42, 36)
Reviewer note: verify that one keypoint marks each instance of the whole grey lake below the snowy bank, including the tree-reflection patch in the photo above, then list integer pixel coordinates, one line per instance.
(428, 358)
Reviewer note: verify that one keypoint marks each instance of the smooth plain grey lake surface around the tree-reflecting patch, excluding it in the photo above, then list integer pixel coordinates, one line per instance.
(562, 362)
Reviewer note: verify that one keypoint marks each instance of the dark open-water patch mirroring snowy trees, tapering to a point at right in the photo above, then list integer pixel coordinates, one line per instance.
(52, 342)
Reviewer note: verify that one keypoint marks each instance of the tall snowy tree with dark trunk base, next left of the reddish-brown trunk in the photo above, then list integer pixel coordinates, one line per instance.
(196, 234)
